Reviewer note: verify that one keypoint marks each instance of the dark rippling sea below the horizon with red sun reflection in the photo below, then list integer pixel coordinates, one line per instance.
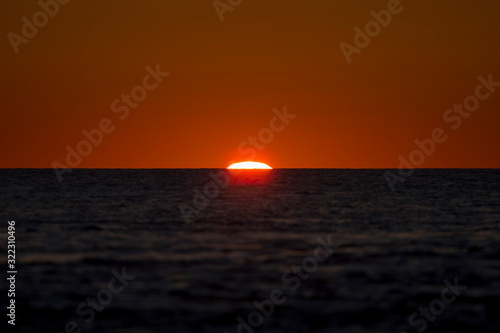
(285, 250)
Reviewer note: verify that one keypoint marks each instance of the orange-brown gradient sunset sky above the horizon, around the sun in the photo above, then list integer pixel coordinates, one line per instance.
(226, 78)
